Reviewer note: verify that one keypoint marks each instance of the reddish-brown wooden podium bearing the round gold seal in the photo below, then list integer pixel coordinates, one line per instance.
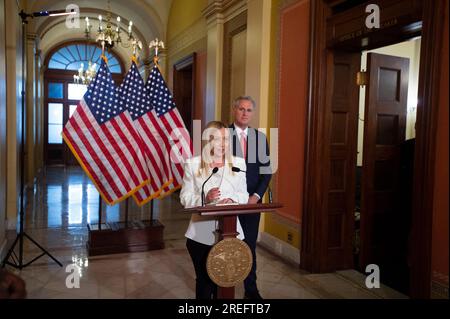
(227, 224)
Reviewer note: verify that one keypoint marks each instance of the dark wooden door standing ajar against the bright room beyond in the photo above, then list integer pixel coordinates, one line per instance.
(384, 132)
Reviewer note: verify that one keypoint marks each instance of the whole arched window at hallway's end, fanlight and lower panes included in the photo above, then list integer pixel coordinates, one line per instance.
(62, 94)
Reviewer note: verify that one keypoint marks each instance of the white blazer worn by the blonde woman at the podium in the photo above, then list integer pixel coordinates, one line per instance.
(232, 185)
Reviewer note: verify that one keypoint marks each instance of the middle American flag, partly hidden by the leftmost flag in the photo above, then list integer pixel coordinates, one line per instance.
(134, 99)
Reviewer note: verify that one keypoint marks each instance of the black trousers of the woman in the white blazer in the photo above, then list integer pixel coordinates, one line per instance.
(205, 288)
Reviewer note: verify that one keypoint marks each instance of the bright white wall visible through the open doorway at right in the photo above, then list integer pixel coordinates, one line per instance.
(408, 49)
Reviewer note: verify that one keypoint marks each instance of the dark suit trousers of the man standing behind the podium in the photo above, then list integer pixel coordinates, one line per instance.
(250, 226)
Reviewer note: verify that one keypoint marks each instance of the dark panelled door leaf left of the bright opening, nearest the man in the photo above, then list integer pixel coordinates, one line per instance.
(340, 159)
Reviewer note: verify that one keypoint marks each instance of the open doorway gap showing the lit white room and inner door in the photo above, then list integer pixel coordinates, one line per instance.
(385, 157)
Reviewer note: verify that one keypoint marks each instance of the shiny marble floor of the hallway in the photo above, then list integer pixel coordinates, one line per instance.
(64, 201)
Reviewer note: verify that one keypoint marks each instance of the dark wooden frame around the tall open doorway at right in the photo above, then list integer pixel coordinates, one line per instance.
(313, 251)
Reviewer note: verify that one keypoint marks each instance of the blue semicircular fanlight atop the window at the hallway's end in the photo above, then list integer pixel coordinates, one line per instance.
(71, 56)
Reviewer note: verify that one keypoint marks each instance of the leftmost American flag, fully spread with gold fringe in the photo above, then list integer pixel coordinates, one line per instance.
(102, 137)
